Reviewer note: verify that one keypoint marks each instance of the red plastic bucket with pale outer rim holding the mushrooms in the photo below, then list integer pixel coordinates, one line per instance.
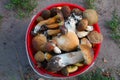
(30, 52)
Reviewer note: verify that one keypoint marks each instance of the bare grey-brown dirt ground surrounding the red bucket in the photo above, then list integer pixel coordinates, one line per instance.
(14, 63)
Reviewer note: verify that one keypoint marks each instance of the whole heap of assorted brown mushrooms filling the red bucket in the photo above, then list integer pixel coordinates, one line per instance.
(63, 39)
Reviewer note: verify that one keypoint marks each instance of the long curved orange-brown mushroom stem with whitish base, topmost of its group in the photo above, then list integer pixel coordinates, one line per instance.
(46, 22)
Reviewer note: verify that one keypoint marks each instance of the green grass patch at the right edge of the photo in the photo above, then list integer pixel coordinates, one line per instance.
(114, 27)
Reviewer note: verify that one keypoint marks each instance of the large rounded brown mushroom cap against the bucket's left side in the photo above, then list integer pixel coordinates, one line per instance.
(39, 41)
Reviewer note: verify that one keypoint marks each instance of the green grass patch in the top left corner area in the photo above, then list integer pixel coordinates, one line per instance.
(21, 7)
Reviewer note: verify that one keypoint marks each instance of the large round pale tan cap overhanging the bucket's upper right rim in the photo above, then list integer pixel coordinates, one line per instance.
(91, 15)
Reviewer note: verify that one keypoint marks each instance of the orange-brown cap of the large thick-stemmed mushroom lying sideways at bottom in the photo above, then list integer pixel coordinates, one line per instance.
(87, 54)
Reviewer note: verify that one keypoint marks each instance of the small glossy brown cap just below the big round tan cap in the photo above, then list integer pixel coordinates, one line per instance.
(82, 25)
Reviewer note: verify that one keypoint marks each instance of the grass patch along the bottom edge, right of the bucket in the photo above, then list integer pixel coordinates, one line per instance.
(95, 75)
